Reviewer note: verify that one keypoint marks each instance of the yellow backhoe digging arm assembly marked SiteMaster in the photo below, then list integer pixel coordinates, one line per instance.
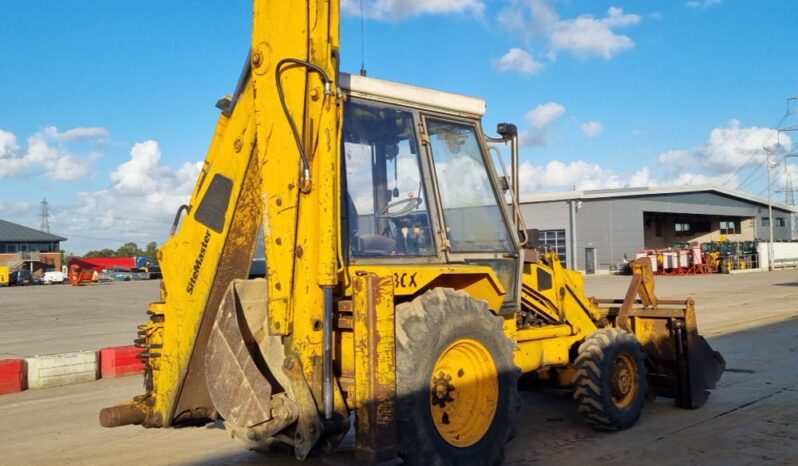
(273, 163)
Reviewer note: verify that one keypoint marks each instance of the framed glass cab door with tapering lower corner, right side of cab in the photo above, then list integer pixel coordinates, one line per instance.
(470, 205)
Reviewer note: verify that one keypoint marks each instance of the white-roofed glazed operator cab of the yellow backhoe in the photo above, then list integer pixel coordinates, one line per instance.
(419, 183)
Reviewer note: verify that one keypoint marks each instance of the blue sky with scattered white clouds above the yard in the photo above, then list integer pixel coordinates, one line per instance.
(107, 108)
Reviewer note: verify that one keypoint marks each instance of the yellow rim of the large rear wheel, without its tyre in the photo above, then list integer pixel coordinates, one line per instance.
(464, 392)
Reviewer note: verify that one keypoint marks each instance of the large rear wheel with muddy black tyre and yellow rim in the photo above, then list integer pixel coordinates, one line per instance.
(456, 381)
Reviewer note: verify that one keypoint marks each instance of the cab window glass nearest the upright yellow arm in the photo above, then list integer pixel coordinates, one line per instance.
(385, 204)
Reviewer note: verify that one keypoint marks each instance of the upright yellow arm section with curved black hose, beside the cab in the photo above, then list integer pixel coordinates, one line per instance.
(300, 217)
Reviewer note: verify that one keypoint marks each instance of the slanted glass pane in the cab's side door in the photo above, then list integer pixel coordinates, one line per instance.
(474, 222)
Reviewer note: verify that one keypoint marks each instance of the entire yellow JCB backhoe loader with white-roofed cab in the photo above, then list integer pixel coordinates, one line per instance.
(399, 295)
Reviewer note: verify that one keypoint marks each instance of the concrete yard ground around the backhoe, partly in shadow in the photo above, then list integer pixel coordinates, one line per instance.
(750, 419)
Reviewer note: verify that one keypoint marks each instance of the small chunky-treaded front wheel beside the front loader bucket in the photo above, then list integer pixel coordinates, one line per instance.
(610, 379)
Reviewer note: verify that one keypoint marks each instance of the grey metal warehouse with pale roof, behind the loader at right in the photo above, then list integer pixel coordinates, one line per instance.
(605, 226)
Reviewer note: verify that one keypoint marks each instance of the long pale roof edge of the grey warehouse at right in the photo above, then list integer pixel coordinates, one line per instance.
(650, 191)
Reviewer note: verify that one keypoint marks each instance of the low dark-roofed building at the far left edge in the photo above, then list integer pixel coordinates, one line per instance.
(37, 250)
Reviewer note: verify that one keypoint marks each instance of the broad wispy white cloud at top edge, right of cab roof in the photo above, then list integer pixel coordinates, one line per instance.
(584, 36)
